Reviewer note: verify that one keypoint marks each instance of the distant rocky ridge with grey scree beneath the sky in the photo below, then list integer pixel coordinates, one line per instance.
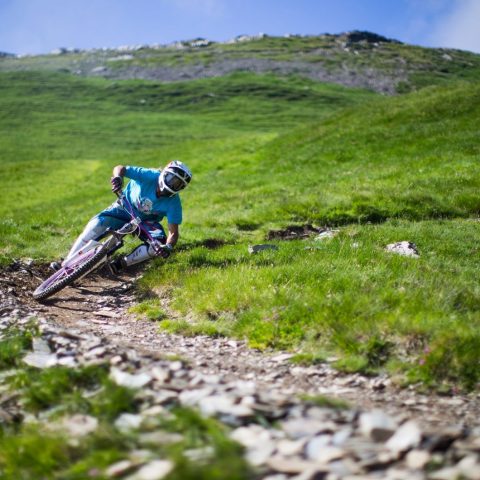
(353, 59)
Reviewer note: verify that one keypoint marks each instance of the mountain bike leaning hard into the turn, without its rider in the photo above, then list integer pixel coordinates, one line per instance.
(94, 254)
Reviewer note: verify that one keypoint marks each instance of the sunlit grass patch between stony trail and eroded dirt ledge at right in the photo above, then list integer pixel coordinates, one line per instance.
(346, 296)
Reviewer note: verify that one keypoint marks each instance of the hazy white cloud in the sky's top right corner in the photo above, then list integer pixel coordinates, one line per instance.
(460, 28)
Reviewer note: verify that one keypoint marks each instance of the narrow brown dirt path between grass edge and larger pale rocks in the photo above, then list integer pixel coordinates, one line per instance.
(99, 306)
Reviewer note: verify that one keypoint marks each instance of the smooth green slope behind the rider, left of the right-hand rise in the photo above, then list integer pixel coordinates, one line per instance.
(60, 137)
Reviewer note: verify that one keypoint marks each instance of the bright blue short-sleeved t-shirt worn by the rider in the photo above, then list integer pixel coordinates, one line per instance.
(141, 192)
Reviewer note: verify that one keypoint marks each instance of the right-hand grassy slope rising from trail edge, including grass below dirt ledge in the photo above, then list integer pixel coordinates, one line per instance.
(388, 170)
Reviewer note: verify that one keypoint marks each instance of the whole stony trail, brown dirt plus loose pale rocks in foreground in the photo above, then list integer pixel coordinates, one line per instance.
(387, 432)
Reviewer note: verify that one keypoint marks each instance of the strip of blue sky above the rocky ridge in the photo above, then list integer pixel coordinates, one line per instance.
(39, 26)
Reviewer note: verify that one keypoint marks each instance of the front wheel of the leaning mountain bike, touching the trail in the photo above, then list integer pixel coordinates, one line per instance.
(68, 274)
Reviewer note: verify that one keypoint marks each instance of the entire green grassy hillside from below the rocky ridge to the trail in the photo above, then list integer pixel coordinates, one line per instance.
(268, 152)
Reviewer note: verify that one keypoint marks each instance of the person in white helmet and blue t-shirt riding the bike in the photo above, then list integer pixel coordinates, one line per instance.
(153, 195)
